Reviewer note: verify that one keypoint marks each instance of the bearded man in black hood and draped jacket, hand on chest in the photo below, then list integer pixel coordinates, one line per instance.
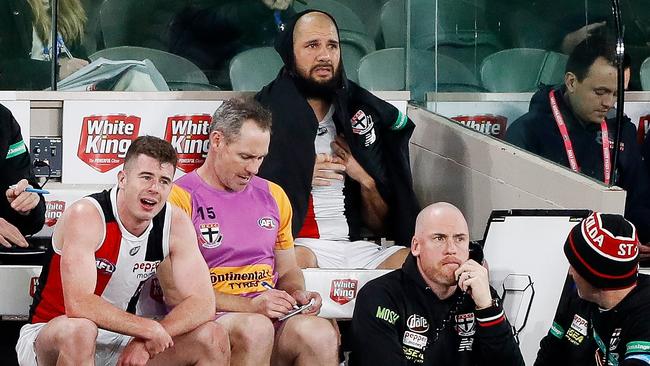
(340, 153)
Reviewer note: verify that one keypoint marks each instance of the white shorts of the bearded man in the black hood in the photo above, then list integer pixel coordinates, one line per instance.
(347, 254)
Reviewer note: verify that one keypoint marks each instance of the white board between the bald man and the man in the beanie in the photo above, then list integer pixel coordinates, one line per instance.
(530, 246)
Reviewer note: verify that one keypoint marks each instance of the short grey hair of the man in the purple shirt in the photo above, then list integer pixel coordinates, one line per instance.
(231, 115)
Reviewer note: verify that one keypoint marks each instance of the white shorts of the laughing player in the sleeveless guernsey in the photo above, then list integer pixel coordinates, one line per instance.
(108, 349)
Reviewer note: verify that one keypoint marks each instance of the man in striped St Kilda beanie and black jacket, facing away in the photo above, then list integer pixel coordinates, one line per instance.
(603, 317)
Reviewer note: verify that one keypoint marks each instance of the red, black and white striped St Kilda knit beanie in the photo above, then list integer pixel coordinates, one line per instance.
(604, 250)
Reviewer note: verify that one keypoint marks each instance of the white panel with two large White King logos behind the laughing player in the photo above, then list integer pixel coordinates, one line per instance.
(97, 134)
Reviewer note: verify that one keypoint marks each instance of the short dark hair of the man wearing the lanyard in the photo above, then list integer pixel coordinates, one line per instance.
(586, 53)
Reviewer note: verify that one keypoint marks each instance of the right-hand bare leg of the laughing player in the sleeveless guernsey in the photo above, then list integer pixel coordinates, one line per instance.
(204, 346)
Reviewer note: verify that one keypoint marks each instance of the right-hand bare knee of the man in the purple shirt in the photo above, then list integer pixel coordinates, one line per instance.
(306, 340)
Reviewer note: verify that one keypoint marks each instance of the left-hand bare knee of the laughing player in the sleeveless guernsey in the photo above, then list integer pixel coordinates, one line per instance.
(66, 341)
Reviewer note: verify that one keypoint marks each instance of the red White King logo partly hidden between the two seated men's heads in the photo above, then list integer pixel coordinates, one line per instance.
(189, 135)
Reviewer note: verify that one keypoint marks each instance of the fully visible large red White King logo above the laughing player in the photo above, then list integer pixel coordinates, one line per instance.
(104, 140)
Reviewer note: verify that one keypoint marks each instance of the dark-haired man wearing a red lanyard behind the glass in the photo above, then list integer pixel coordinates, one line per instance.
(567, 124)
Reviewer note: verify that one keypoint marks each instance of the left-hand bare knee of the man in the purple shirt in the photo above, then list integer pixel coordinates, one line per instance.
(251, 338)
